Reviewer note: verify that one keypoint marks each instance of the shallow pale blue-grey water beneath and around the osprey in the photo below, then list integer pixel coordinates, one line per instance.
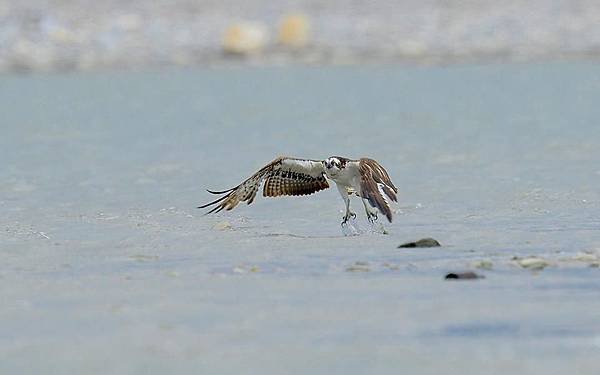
(108, 267)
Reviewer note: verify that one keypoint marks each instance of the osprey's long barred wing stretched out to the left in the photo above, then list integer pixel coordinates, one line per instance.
(282, 176)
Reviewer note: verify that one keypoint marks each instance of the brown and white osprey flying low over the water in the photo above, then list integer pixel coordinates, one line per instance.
(291, 176)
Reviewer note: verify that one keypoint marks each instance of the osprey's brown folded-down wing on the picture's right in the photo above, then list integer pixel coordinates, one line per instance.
(376, 186)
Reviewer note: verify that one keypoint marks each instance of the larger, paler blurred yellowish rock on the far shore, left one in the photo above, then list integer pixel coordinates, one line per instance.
(245, 38)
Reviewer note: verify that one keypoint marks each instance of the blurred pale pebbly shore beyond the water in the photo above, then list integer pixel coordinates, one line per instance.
(63, 35)
